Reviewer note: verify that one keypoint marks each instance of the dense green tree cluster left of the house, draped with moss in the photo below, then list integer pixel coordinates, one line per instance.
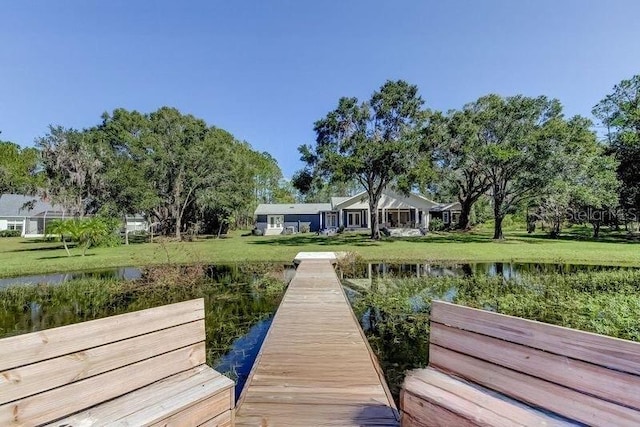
(182, 174)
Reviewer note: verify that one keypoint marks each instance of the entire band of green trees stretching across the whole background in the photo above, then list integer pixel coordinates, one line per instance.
(509, 154)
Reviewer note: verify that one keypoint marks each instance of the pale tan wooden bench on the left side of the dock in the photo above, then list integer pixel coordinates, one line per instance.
(141, 368)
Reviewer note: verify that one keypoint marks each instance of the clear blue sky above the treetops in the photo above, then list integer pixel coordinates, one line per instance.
(266, 70)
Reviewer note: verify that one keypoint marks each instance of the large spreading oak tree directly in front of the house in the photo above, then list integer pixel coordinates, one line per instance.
(377, 142)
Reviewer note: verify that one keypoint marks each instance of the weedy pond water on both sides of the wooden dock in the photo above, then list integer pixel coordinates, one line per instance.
(392, 302)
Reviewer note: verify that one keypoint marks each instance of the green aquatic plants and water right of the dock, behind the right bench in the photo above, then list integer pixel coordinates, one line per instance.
(394, 311)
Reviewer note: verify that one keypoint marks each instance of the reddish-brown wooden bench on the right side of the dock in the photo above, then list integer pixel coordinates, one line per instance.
(491, 369)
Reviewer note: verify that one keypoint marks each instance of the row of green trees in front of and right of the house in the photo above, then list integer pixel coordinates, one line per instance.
(514, 154)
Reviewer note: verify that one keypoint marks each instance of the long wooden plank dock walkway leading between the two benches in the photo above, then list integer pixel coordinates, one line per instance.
(315, 366)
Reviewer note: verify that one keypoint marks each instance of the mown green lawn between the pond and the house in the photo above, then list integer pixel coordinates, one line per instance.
(23, 257)
